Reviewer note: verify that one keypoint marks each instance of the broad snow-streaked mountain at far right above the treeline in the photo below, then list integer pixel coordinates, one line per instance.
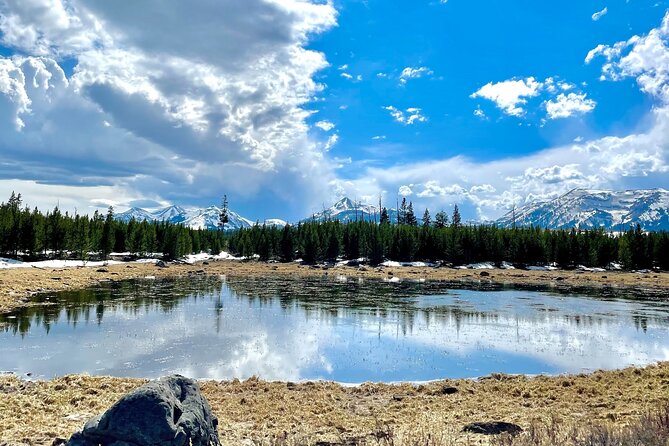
(585, 209)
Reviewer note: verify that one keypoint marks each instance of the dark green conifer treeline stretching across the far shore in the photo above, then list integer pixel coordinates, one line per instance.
(33, 234)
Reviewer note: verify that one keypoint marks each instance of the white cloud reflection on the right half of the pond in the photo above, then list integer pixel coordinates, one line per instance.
(554, 340)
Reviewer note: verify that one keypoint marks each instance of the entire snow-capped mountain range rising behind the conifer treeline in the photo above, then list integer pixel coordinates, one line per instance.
(579, 208)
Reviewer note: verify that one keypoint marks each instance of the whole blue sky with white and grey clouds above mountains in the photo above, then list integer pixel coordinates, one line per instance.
(288, 105)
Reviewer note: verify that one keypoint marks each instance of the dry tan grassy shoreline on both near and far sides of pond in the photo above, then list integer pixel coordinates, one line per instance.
(254, 411)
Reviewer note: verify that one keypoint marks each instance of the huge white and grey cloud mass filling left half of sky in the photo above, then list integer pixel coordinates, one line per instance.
(186, 103)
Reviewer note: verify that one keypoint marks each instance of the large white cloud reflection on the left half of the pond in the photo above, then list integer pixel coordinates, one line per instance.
(182, 341)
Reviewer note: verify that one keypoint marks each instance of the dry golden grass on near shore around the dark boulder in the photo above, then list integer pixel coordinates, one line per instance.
(255, 412)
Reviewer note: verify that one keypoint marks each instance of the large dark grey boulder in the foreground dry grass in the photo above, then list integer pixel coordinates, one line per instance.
(167, 412)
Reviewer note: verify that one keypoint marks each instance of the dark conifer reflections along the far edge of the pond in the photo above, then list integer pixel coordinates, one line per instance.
(316, 298)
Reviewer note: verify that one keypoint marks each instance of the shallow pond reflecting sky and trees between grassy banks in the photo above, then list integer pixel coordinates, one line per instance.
(280, 329)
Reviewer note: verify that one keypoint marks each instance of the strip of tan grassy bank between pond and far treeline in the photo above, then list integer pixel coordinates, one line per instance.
(18, 285)
